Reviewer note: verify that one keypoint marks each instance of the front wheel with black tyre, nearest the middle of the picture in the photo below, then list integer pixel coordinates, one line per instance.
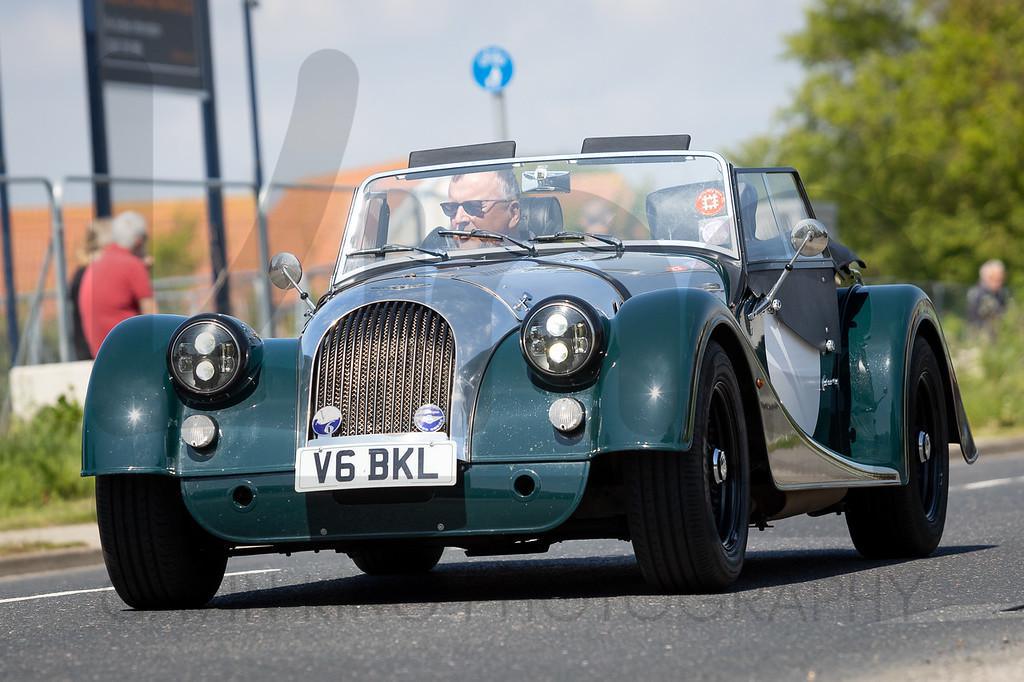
(689, 513)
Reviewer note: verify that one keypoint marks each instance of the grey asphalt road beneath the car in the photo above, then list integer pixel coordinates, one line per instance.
(806, 608)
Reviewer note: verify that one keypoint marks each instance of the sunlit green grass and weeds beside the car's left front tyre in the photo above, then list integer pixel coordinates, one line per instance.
(40, 460)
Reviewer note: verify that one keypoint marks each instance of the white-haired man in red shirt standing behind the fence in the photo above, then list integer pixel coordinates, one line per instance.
(116, 286)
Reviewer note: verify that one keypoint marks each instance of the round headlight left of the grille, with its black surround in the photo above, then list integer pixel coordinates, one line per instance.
(209, 355)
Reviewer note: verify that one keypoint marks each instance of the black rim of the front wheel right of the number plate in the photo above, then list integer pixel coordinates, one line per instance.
(726, 496)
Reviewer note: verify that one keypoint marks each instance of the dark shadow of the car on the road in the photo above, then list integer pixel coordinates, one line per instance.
(515, 580)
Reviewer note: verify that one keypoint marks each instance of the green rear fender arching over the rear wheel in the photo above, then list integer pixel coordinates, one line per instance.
(881, 324)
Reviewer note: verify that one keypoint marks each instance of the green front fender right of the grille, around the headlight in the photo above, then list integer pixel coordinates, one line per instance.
(642, 400)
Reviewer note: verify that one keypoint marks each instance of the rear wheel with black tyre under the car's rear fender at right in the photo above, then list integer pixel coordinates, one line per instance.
(908, 522)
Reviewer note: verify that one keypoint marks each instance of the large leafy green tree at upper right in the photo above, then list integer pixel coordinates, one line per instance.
(912, 121)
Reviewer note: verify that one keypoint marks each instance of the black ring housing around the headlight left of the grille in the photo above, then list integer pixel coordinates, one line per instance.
(249, 349)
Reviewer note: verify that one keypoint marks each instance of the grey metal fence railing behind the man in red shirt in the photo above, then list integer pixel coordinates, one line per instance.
(56, 257)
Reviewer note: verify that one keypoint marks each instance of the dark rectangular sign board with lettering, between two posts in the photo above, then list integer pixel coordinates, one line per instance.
(153, 42)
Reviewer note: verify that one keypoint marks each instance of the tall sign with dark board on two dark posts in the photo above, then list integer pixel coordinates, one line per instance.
(161, 45)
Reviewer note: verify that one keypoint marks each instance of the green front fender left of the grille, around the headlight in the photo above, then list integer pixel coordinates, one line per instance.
(134, 416)
